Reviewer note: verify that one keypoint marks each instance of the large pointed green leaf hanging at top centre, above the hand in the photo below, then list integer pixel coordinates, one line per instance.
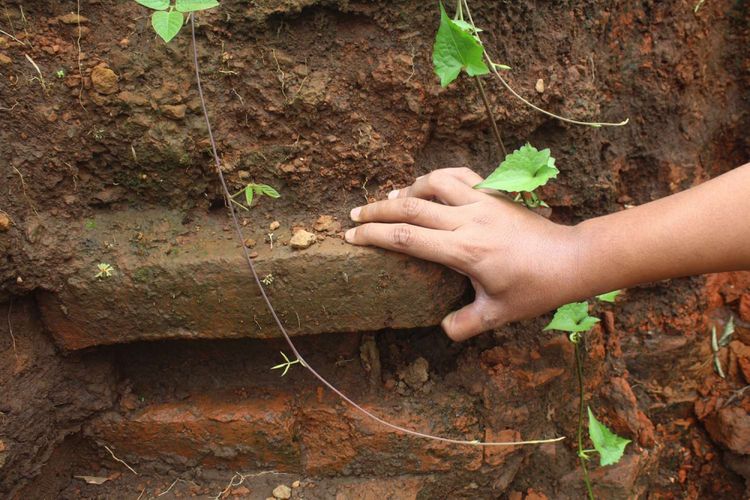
(456, 50)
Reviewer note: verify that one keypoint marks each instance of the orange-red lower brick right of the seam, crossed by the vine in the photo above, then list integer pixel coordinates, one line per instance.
(338, 438)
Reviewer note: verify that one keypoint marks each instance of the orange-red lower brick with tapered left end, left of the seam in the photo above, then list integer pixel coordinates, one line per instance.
(208, 430)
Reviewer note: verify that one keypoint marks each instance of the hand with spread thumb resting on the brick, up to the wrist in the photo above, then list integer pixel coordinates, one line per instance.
(520, 264)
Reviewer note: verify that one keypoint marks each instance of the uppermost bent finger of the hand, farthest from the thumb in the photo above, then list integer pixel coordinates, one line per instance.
(451, 186)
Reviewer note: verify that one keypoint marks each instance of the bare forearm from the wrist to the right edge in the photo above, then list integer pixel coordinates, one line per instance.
(705, 229)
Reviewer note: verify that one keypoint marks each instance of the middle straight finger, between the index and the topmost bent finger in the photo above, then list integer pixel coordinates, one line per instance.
(412, 211)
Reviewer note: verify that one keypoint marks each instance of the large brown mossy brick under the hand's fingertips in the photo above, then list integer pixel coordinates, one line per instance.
(174, 280)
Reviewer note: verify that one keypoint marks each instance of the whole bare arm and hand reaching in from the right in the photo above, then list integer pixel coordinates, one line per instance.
(522, 265)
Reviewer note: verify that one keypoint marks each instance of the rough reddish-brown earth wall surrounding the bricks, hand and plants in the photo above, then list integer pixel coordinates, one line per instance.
(334, 103)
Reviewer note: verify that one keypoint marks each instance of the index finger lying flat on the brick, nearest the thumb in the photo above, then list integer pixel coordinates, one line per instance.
(427, 244)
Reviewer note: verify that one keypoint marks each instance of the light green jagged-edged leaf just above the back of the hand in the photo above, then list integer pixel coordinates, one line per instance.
(525, 169)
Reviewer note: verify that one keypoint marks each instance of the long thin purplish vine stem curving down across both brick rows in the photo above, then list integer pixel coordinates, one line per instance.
(272, 310)
